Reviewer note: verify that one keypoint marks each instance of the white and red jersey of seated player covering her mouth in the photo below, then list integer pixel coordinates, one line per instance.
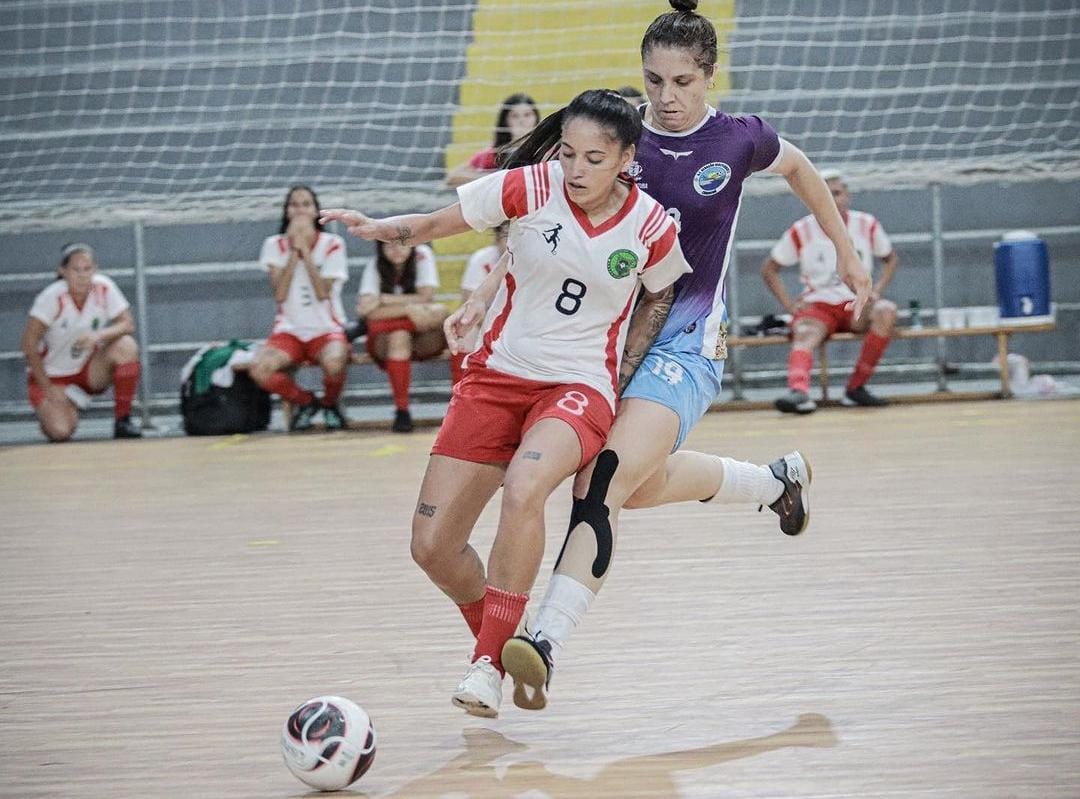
(303, 315)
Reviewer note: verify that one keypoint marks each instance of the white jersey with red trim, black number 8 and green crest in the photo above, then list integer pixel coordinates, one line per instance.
(561, 316)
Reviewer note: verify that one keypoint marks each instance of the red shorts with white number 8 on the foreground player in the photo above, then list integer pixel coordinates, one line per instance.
(491, 412)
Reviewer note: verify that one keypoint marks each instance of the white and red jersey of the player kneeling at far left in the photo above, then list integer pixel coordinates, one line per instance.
(67, 322)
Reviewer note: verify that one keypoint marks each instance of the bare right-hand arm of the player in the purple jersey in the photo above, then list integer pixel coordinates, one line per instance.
(809, 187)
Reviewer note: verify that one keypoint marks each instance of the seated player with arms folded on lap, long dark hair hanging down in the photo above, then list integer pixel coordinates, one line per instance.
(404, 323)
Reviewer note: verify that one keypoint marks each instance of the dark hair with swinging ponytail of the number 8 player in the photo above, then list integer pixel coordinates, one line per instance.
(602, 106)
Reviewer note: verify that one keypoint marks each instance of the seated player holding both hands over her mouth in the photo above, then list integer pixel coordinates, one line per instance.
(307, 268)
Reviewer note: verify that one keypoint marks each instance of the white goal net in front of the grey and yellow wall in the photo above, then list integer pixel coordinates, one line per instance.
(178, 111)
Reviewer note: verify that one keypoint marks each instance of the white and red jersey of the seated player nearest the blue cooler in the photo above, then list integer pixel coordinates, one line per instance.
(805, 243)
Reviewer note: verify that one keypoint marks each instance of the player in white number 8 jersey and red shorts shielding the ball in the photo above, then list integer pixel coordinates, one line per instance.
(539, 395)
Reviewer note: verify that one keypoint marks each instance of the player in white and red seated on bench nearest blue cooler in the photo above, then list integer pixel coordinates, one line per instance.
(825, 307)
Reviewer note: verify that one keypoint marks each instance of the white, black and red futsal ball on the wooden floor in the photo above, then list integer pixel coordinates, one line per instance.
(329, 742)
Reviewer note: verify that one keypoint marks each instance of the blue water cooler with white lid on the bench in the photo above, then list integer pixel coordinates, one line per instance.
(1022, 267)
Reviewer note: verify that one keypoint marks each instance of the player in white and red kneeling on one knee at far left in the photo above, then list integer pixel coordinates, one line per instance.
(79, 342)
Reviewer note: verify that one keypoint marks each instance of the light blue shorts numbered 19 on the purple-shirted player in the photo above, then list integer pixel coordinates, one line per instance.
(684, 382)
